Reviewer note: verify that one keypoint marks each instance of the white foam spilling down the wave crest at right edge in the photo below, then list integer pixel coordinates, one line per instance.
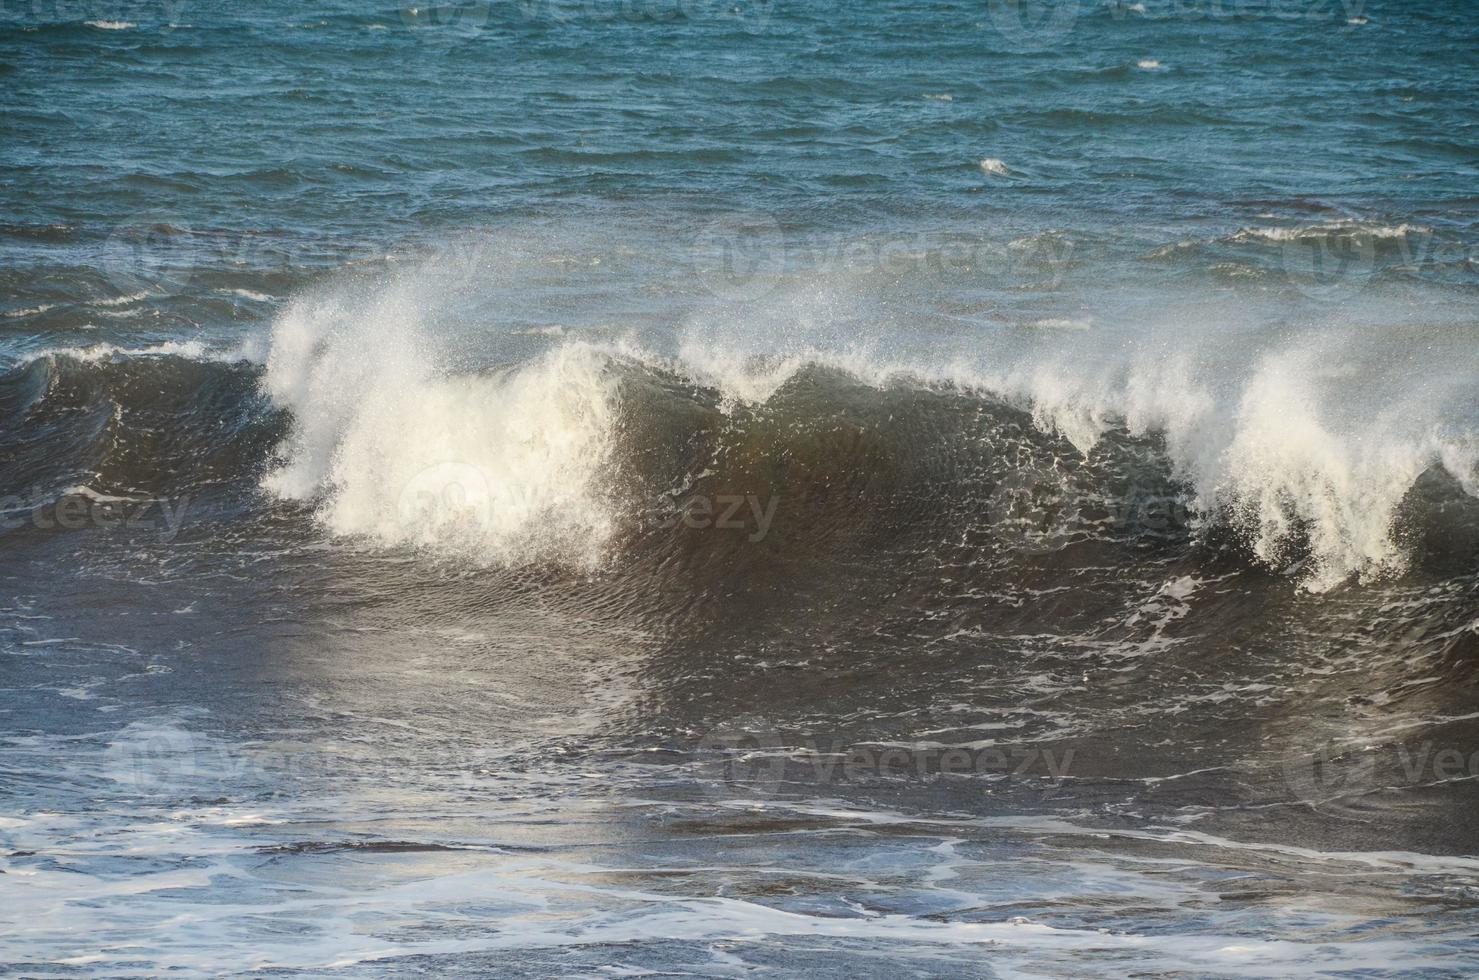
(1301, 443)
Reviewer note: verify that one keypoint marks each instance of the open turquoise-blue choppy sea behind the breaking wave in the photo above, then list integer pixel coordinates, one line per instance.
(295, 135)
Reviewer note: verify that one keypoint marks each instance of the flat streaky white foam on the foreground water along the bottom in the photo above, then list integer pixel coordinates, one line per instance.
(634, 911)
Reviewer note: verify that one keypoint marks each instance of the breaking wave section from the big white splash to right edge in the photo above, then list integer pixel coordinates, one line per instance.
(1295, 444)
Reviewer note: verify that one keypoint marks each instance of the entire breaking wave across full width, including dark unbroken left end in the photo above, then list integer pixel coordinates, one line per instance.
(1326, 449)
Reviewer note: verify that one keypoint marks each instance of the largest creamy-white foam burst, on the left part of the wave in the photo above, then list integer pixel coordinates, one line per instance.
(396, 447)
